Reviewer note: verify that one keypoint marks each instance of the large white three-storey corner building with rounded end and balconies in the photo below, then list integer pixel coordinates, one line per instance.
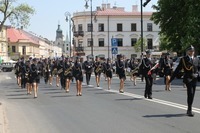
(111, 23)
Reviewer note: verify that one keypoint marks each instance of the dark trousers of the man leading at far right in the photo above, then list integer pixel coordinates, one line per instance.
(191, 88)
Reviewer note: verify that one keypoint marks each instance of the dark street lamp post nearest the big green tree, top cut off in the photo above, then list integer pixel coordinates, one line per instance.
(142, 5)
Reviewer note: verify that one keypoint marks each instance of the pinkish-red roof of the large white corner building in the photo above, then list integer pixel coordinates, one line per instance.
(119, 12)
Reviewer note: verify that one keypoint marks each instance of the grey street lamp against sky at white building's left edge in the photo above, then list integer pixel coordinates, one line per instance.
(68, 19)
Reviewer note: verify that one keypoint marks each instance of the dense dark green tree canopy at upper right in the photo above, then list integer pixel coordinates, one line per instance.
(179, 22)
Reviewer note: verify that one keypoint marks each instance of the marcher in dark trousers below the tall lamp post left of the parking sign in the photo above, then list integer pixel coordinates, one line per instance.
(88, 67)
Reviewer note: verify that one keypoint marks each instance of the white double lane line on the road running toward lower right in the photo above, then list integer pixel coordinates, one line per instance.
(163, 102)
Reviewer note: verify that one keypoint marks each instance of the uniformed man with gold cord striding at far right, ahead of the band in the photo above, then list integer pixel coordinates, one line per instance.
(190, 76)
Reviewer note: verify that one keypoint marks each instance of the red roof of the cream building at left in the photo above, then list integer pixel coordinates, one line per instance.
(16, 35)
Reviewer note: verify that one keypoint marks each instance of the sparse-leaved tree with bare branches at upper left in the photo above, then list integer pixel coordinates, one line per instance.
(18, 14)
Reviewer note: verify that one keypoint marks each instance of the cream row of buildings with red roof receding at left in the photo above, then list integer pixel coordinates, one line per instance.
(27, 44)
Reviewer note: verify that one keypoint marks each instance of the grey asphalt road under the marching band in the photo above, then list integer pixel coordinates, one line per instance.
(99, 110)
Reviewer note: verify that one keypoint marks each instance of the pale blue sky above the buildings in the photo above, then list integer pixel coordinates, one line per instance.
(50, 13)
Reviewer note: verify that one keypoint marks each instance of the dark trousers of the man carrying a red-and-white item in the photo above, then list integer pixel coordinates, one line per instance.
(148, 87)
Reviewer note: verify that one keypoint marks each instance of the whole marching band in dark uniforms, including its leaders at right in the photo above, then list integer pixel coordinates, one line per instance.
(65, 70)
